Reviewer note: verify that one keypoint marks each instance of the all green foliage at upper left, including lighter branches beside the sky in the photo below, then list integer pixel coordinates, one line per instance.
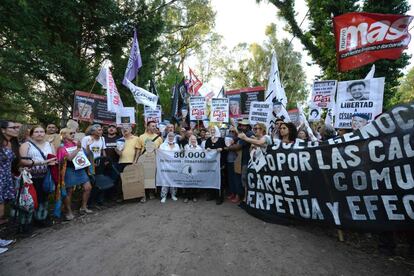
(49, 49)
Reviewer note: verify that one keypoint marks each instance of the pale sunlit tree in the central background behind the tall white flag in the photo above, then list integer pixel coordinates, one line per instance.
(254, 66)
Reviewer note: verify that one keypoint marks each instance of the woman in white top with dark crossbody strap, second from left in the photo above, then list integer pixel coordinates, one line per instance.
(38, 150)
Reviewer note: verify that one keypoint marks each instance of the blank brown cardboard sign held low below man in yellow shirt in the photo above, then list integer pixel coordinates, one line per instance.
(133, 181)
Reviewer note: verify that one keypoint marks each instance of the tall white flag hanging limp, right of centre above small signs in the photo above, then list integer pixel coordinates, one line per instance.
(275, 90)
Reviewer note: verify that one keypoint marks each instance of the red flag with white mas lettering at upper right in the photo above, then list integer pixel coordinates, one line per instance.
(362, 38)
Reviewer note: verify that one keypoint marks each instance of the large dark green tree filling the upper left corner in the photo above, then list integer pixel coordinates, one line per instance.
(49, 49)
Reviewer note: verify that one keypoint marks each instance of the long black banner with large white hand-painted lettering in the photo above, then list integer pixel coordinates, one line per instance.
(361, 181)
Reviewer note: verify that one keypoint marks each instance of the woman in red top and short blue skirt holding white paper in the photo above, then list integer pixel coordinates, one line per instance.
(72, 177)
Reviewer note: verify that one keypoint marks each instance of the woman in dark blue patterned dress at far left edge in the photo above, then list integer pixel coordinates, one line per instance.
(9, 157)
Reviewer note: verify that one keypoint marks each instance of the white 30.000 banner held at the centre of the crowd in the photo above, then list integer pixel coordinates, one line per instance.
(188, 169)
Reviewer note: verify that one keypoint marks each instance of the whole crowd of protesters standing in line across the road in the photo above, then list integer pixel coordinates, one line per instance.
(38, 149)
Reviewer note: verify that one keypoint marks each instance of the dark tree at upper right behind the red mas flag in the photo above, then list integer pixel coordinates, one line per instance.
(319, 40)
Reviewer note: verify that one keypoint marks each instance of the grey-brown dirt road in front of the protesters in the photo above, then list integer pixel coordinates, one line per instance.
(186, 239)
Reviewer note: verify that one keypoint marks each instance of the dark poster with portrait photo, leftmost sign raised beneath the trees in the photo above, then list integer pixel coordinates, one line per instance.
(92, 108)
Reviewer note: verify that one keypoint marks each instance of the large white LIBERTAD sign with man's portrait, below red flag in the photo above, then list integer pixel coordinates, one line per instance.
(358, 97)
